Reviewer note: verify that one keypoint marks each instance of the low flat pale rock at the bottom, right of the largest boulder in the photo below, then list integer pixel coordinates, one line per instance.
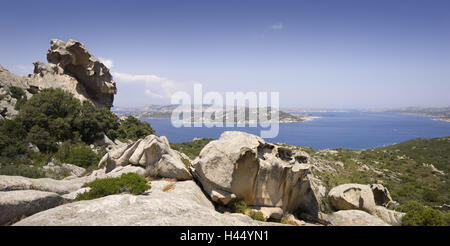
(353, 218)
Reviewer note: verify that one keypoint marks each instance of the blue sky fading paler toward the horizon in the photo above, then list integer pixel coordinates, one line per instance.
(316, 54)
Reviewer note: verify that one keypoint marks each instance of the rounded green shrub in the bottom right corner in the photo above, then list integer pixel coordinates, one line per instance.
(419, 215)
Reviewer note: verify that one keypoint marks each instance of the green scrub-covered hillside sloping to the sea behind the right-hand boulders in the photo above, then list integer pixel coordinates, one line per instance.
(413, 170)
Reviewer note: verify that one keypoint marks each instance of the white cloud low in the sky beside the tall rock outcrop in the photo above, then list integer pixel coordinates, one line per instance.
(153, 86)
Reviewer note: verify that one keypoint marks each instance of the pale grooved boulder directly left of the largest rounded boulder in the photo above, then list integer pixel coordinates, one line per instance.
(153, 153)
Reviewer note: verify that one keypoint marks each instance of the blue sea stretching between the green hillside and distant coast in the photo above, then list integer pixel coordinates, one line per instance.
(350, 130)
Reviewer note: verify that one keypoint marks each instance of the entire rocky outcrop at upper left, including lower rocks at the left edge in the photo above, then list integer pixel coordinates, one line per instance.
(70, 67)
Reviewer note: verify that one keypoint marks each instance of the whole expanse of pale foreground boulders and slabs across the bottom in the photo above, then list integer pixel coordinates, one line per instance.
(273, 179)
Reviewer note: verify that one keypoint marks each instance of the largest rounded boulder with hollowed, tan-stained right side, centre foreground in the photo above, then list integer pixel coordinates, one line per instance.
(241, 165)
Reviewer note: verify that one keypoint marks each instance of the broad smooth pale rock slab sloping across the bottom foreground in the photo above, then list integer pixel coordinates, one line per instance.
(183, 205)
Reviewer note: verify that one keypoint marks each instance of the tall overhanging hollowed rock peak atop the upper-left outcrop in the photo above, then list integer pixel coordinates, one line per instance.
(73, 68)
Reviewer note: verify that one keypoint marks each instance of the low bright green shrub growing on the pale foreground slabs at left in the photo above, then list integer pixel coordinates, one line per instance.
(128, 182)
